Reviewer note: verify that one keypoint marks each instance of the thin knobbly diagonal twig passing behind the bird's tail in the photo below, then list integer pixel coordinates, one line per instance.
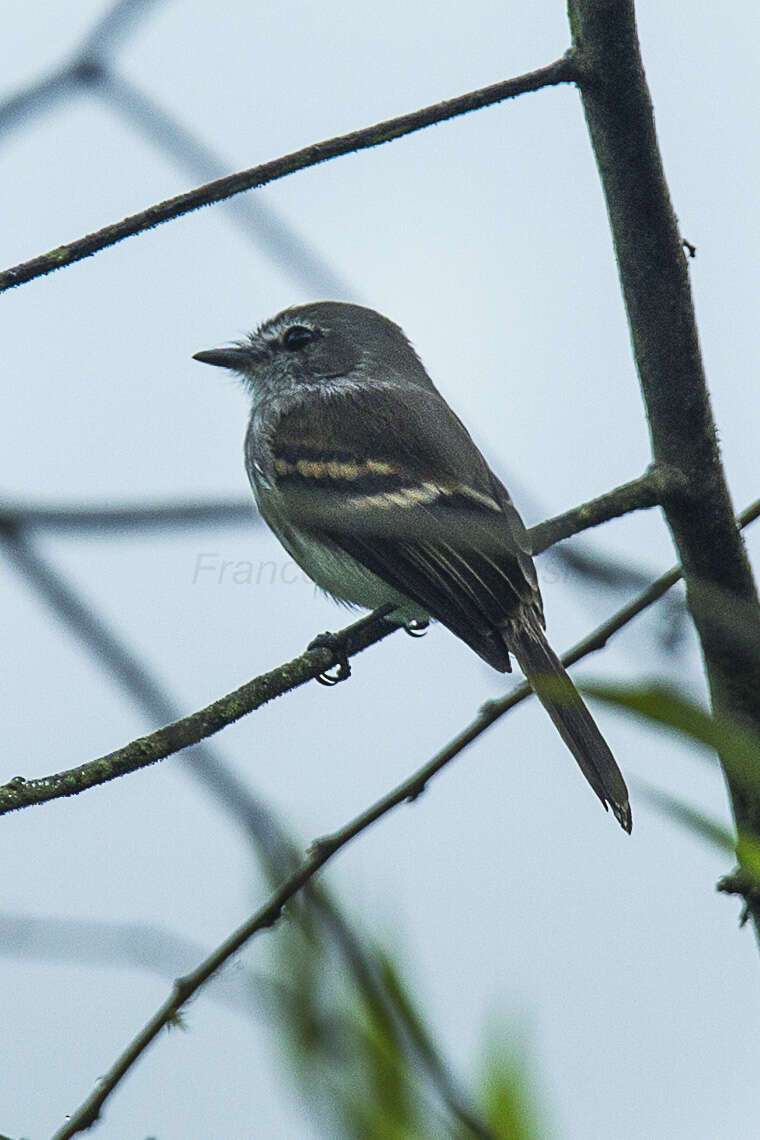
(325, 849)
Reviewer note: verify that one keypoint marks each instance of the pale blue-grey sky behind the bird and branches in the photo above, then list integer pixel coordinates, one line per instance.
(505, 886)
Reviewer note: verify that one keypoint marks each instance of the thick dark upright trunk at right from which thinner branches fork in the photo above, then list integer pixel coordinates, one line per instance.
(655, 278)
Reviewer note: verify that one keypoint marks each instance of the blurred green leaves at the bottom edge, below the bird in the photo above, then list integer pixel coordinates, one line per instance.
(363, 1054)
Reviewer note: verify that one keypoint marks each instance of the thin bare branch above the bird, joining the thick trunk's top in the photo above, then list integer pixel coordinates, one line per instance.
(562, 71)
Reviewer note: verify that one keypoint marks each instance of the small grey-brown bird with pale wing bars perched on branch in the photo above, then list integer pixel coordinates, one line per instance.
(375, 488)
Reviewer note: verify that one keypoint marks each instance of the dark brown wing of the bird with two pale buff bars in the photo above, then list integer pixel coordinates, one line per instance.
(393, 478)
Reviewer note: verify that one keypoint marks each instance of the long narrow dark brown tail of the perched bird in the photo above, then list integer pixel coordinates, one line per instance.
(550, 681)
